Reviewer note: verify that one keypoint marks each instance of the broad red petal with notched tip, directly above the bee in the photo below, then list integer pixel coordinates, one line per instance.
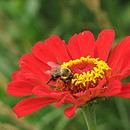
(54, 50)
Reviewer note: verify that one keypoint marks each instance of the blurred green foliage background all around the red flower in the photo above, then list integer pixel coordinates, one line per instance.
(24, 22)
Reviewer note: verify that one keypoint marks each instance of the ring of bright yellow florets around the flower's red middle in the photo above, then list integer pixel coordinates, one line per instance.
(91, 77)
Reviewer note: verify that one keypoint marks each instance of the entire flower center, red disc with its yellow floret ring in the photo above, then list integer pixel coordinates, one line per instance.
(87, 71)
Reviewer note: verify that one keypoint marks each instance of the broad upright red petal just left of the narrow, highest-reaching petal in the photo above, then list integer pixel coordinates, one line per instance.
(81, 44)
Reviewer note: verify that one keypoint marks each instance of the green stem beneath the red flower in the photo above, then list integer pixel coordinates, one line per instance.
(89, 117)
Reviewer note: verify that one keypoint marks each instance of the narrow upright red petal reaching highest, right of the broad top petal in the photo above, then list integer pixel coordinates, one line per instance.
(103, 43)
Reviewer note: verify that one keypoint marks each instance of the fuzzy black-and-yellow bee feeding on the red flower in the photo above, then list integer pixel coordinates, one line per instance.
(64, 74)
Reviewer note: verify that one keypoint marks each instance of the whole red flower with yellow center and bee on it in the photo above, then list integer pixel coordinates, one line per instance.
(71, 74)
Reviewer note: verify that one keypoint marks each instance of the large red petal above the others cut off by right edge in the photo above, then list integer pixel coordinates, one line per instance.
(119, 58)
